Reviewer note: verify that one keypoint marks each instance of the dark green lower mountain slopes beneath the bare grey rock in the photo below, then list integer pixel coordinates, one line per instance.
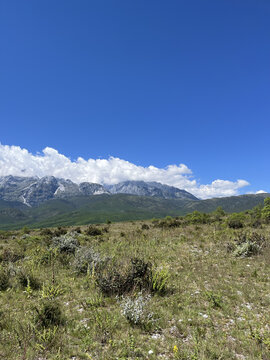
(81, 210)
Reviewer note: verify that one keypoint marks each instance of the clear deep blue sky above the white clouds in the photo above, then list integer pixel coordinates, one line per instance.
(150, 82)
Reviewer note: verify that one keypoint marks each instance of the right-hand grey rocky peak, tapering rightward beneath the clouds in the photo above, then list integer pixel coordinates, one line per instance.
(154, 189)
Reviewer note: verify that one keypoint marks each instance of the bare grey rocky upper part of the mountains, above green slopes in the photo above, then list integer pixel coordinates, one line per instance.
(33, 191)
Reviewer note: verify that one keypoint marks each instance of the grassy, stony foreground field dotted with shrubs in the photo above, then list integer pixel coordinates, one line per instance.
(135, 290)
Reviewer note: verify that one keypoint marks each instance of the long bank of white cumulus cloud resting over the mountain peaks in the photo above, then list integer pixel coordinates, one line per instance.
(20, 162)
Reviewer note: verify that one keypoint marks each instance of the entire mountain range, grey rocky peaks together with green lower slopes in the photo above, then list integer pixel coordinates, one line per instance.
(50, 201)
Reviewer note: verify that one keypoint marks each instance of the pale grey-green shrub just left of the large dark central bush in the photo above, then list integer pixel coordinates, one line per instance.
(86, 258)
